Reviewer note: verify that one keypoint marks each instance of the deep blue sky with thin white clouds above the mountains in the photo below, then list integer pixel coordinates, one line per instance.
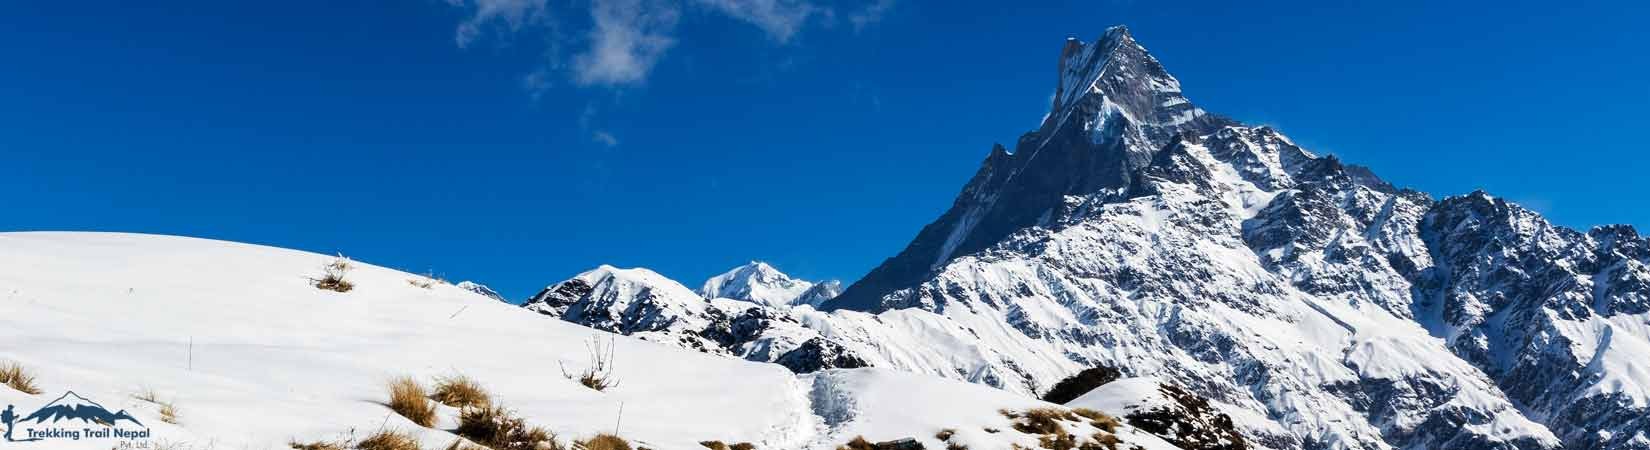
(519, 143)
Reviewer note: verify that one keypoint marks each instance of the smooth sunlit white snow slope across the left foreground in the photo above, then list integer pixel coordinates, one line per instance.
(253, 357)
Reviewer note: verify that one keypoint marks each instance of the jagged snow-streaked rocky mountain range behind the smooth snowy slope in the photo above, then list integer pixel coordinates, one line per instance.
(1306, 299)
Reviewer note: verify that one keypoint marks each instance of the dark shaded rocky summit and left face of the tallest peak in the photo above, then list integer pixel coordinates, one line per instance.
(1115, 106)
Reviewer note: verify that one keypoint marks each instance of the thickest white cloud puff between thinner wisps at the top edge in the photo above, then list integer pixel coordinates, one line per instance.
(628, 39)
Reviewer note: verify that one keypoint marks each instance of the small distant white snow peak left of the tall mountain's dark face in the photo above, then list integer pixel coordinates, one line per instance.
(763, 284)
